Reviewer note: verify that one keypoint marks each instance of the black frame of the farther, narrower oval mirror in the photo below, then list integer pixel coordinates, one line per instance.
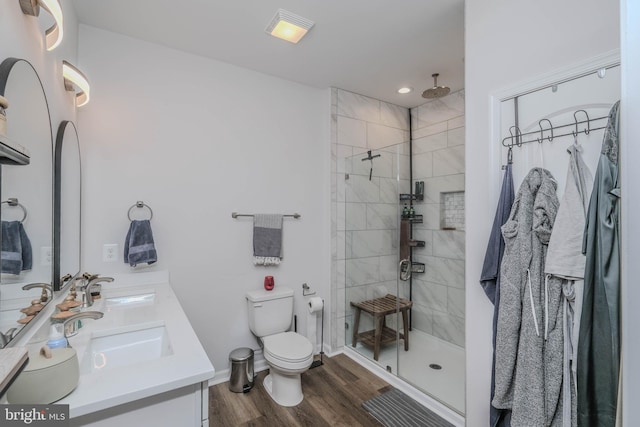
(57, 203)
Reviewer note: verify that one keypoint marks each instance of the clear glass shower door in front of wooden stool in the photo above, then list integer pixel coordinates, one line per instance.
(372, 257)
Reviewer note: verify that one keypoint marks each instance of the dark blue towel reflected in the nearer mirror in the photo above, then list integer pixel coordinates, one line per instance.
(16, 248)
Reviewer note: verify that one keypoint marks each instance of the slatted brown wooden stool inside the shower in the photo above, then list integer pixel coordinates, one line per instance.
(379, 308)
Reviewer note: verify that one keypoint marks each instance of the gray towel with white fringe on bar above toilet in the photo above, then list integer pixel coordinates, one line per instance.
(267, 239)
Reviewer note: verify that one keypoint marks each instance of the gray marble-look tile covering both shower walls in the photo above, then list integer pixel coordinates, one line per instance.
(365, 211)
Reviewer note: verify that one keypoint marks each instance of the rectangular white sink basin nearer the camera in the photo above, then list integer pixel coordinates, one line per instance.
(114, 349)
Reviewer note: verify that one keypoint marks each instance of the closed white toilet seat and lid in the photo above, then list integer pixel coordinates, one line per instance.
(288, 350)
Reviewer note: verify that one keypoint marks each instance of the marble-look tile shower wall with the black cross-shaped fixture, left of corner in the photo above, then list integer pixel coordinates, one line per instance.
(365, 209)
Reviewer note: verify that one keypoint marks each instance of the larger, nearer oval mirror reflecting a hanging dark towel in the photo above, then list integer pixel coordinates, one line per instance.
(26, 253)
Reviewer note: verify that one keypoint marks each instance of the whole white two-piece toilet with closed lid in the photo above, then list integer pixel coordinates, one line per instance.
(288, 354)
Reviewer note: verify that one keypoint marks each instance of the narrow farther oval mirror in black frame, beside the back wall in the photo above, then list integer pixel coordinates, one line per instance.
(67, 191)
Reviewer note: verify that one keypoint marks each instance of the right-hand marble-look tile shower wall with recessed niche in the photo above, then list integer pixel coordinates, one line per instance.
(438, 147)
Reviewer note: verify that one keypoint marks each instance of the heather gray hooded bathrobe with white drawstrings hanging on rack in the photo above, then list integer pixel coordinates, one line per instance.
(528, 367)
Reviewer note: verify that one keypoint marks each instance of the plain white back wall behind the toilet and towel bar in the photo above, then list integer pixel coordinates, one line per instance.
(197, 139)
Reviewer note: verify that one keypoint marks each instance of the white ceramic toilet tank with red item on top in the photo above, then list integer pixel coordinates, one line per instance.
(270, 312)
